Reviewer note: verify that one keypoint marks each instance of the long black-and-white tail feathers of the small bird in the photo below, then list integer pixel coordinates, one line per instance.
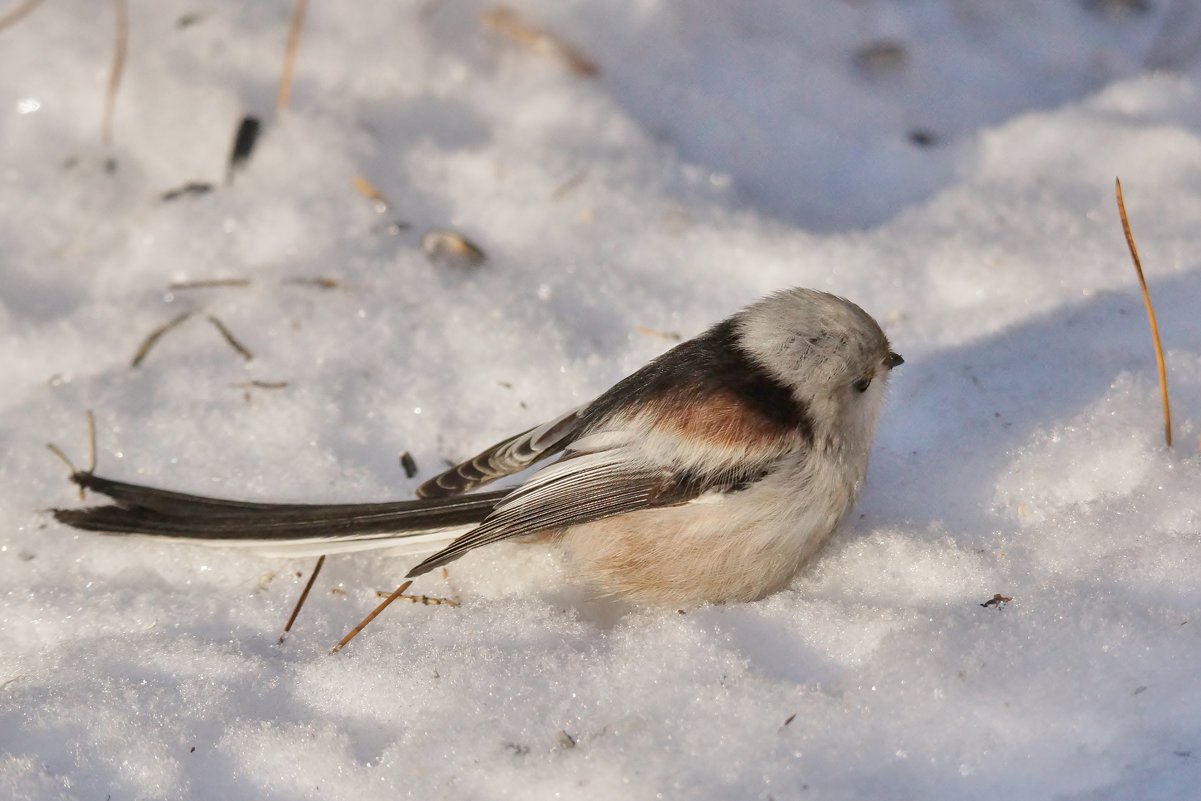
(139, 510)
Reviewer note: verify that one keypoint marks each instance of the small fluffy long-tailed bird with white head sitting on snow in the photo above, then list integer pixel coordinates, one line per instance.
(712, 475)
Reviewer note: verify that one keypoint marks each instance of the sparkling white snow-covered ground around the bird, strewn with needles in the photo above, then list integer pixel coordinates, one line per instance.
(948, 165)
